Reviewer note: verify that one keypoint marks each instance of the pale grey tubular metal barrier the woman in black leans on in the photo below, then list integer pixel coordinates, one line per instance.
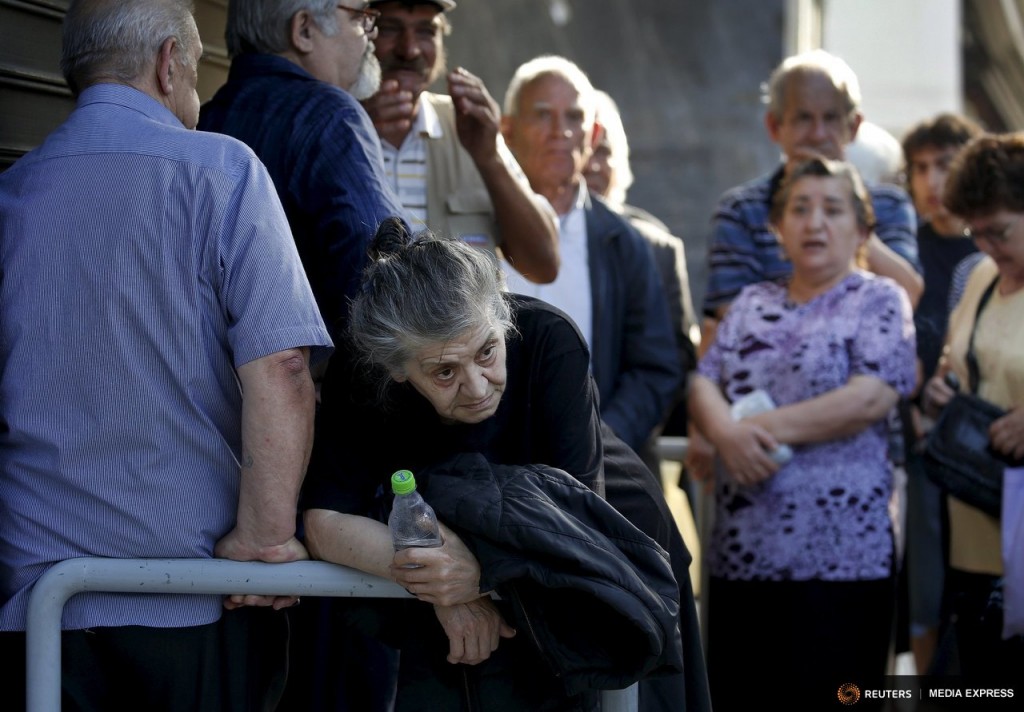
(215, 576)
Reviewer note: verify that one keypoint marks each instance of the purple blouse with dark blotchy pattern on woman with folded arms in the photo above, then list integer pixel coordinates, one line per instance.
(825, 515)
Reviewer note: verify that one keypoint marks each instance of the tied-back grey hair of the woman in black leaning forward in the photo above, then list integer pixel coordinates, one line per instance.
(422, 290)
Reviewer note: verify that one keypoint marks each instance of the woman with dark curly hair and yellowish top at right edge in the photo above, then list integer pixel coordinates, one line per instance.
(986, 188)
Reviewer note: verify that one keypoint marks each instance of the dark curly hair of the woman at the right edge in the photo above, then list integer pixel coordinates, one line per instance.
(987, 177)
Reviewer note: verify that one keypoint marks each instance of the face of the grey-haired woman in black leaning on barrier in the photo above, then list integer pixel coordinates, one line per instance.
(463, 379)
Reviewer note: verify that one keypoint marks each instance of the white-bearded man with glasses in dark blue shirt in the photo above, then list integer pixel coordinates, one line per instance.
(297, 71)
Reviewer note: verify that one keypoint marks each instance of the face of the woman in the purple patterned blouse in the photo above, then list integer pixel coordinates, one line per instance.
(820, 231)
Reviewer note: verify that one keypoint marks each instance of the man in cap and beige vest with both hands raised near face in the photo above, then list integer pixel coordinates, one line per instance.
(444, 153)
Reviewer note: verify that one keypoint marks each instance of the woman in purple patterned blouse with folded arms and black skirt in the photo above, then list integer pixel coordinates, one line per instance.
(802, 554)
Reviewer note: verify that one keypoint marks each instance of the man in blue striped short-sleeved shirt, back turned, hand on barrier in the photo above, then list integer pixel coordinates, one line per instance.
(156, 332)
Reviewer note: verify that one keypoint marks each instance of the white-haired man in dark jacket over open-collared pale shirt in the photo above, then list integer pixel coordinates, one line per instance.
(609, 282)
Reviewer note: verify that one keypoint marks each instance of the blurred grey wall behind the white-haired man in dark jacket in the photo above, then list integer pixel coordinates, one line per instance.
(686, 75)
